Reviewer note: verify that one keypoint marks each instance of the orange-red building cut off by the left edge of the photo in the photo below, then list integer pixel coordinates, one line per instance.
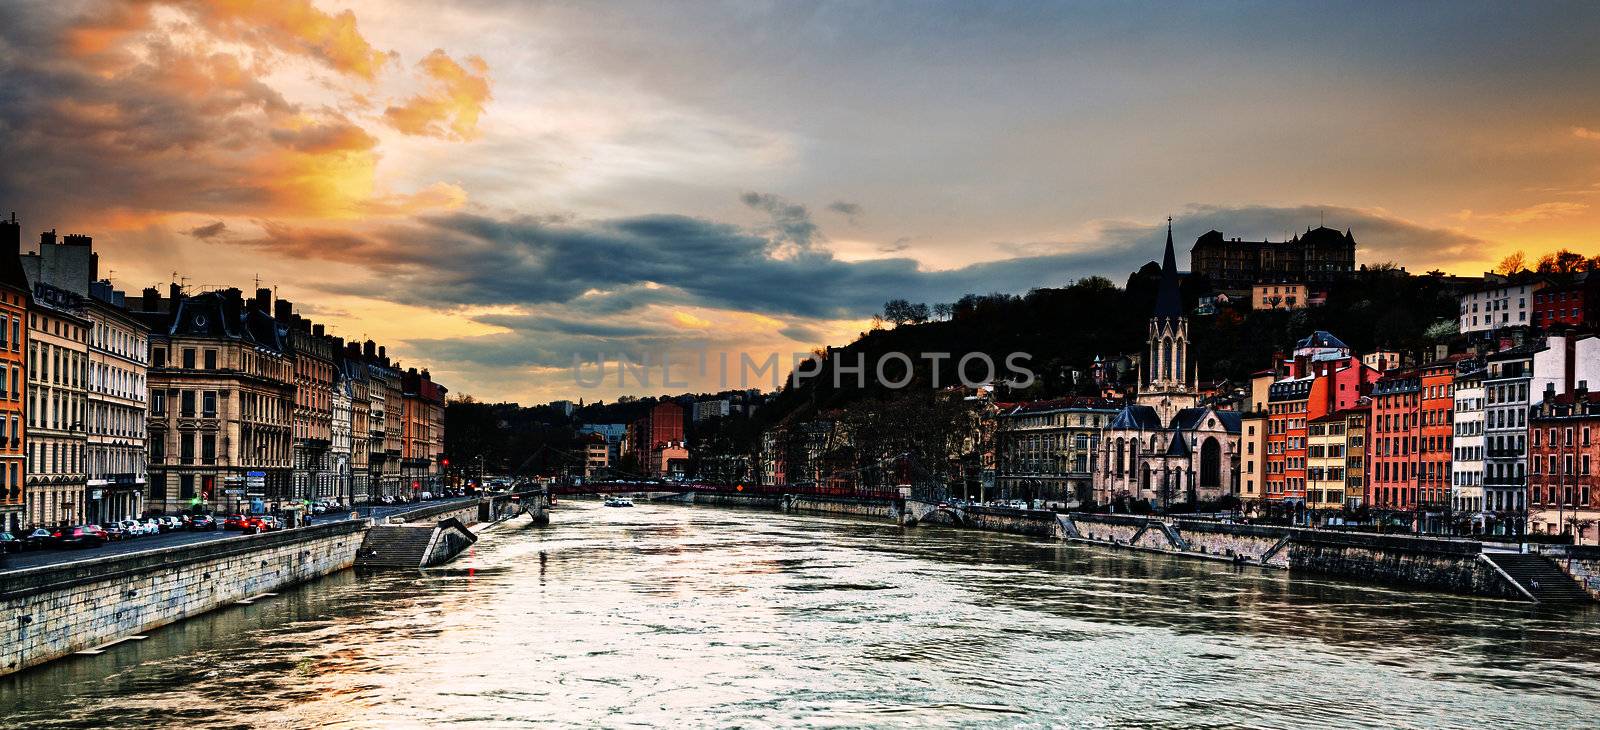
(14, 379)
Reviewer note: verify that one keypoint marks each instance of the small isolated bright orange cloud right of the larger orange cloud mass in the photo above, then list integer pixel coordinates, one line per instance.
(450, 110)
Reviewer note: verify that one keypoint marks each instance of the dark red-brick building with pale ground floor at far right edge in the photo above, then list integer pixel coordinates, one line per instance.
(1564, 449)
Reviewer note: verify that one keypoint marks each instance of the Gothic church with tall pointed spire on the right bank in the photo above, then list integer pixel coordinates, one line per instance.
(1164, 447)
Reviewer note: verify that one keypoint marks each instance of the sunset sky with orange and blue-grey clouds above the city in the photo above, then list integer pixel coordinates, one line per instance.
(494, 188)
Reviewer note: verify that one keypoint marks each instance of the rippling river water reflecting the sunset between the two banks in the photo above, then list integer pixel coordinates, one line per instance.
(690, 617)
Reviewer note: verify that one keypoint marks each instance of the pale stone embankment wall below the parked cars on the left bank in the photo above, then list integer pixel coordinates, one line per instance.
(57, 611)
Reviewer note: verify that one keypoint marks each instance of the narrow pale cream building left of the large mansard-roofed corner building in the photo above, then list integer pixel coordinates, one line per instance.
(118, 406)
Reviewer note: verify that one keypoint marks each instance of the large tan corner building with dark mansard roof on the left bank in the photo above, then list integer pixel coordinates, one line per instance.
(222, 403)
